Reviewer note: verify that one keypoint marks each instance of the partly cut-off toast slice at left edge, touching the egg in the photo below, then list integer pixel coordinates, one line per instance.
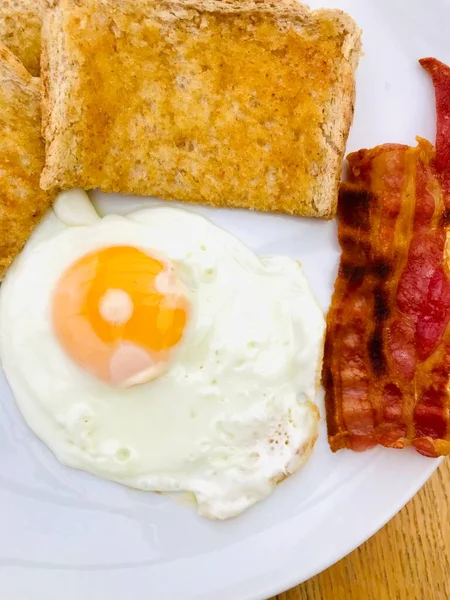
(21, 157)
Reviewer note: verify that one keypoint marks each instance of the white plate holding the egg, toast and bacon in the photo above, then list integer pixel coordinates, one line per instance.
(65, 534)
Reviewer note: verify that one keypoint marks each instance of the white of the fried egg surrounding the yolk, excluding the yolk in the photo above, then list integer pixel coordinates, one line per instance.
(232, 415)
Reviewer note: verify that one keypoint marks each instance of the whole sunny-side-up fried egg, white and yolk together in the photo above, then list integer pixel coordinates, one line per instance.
(157, 351)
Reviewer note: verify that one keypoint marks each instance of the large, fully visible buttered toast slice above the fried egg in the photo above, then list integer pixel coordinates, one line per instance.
(243, 103)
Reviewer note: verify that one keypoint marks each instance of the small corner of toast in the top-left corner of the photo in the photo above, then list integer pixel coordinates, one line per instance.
(20, 30)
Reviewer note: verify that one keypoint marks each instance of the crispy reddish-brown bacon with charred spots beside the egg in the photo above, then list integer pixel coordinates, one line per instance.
(387, 353)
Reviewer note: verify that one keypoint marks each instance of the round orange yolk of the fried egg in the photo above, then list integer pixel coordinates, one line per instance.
(120, 314)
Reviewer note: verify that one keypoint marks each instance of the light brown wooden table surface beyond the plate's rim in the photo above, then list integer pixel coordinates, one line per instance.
(409, 559)
